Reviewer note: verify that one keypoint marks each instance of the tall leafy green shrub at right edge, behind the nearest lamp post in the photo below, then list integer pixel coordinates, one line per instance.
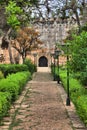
(79, 56)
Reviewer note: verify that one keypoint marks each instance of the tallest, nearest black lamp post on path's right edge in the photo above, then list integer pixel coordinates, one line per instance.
(68, 93)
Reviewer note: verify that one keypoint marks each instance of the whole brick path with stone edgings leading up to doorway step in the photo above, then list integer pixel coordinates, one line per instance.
(41, 106)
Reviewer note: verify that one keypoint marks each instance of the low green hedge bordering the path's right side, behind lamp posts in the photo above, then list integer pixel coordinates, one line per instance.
(78, 95)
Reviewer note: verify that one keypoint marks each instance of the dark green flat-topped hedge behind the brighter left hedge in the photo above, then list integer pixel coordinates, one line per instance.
(12, 68)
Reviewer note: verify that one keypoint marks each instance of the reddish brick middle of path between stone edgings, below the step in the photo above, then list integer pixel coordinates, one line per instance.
(42, 109)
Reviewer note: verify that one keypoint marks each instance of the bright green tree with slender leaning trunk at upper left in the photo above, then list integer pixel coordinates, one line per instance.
(12, 12)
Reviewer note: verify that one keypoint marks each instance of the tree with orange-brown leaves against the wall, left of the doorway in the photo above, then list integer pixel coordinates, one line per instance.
(27, 38)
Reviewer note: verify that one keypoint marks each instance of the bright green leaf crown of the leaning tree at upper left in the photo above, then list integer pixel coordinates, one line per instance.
(12, 12)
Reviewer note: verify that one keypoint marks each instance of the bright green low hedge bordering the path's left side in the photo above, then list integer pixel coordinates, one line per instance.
(10, 88)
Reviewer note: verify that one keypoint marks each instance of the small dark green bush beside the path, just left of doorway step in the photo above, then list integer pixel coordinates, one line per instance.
(31, 66)
